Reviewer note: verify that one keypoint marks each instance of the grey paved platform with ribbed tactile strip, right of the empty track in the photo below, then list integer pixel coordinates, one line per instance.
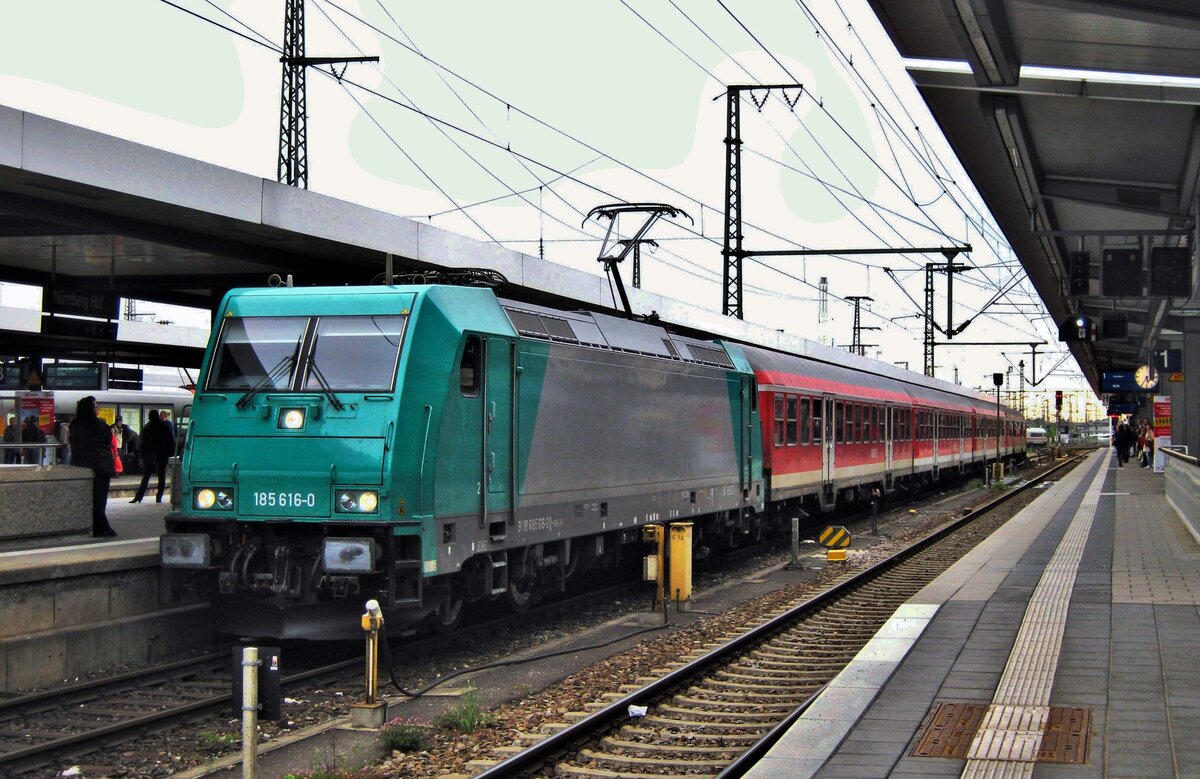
(1073, 634)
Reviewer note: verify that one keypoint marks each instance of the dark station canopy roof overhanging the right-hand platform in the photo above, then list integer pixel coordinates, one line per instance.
(1072, 163)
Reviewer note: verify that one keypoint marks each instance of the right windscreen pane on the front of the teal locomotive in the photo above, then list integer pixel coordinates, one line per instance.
(356, 353)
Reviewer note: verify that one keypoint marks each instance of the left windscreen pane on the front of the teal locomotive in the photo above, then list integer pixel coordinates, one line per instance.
(257, 352)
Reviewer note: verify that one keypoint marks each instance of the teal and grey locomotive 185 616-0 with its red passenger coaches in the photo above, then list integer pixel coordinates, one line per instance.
(433, 446)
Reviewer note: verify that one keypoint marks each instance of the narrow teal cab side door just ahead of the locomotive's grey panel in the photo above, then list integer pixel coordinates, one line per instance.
(496, 502)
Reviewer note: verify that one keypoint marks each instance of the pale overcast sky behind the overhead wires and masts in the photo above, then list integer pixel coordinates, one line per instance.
(603, 101)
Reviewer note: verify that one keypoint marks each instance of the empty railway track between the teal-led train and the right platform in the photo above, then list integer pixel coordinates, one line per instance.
(724, 706)
